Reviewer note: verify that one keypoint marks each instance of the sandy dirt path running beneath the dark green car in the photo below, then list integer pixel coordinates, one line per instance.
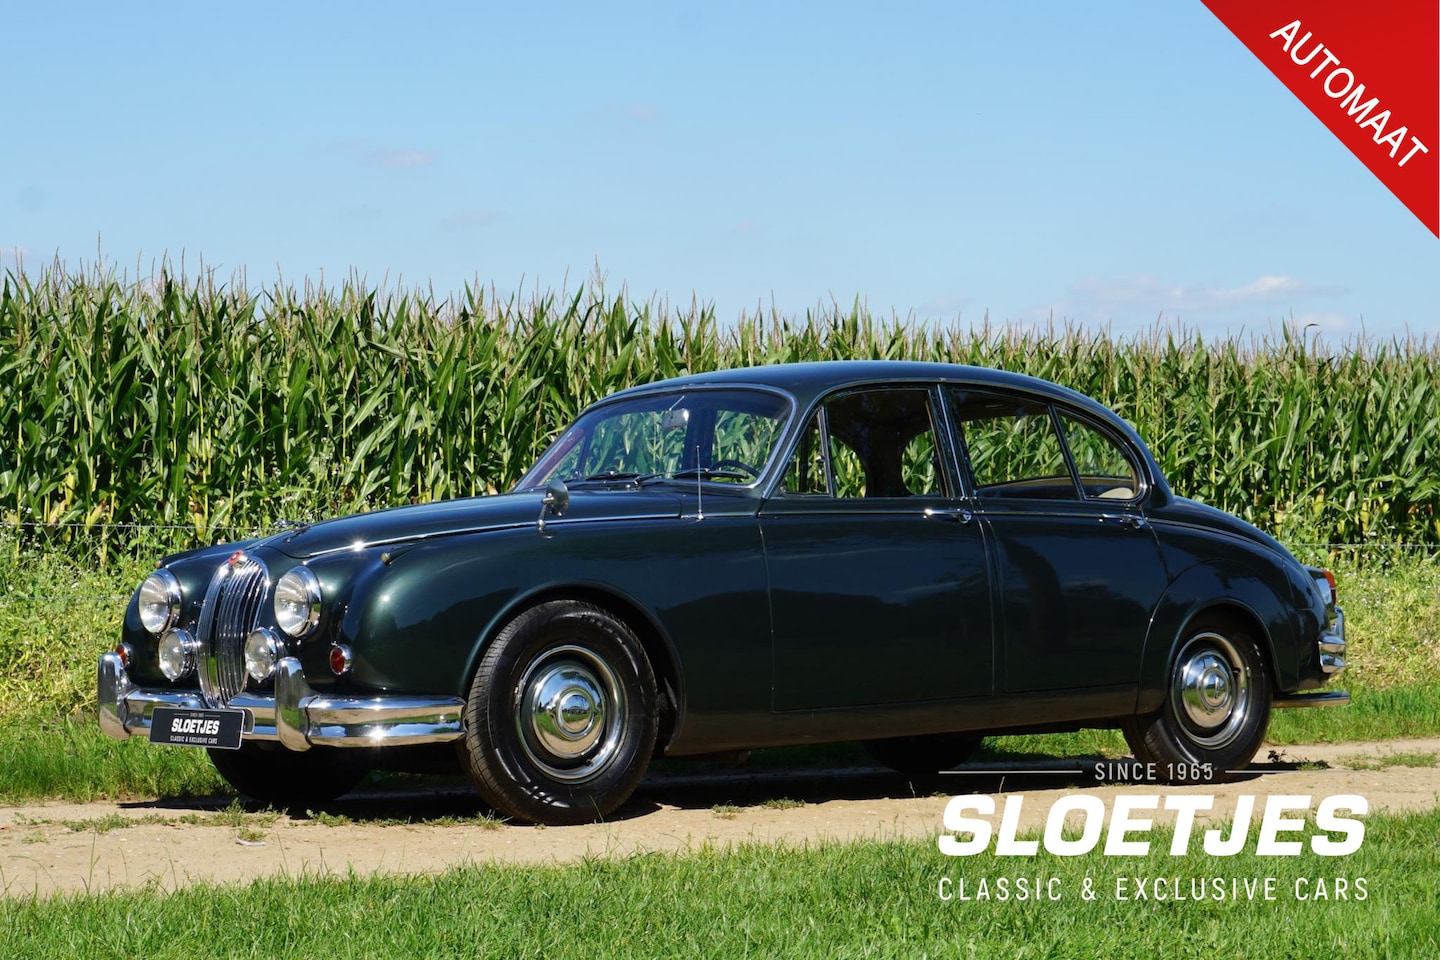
(76, 848)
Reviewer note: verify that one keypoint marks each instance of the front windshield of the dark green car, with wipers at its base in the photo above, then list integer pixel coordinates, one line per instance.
(726, 437)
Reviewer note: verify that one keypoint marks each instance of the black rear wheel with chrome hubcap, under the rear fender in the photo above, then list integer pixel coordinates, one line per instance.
(1216, 712)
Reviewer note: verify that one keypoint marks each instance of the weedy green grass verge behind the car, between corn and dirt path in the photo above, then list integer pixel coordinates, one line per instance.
(51, 748)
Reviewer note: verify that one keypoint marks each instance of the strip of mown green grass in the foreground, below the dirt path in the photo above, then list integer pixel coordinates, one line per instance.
(847, 900)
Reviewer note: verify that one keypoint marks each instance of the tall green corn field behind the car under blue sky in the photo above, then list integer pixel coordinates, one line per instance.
(214, 409)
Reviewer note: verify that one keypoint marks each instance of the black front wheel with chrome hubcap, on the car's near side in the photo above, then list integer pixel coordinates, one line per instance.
(561, 720)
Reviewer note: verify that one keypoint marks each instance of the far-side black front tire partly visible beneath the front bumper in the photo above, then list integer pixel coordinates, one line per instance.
(282, 778)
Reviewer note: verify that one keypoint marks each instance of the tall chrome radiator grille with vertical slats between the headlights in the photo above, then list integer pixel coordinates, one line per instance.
(231, 611)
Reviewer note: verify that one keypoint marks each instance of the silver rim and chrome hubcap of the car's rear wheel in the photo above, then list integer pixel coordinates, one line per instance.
(1210, 692)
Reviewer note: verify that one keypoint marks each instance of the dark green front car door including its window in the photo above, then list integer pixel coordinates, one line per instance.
(878, 572)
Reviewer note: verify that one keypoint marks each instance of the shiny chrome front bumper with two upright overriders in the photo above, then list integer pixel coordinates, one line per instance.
(296, 715)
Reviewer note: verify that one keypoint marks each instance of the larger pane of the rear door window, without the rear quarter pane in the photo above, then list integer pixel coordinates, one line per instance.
(1013, 448)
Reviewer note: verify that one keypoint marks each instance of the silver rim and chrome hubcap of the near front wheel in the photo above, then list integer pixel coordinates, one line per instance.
(570, 713)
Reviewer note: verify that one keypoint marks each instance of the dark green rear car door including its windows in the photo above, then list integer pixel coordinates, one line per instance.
(1078, 566)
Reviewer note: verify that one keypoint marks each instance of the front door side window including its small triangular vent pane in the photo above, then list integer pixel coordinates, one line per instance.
(881, 444)
